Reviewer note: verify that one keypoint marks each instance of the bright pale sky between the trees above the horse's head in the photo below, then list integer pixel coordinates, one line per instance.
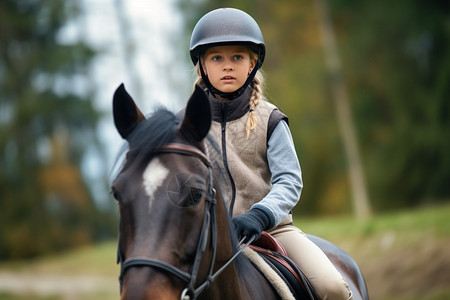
(144, 53)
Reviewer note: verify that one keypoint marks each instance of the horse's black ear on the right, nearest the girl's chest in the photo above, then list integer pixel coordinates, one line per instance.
(197, 118)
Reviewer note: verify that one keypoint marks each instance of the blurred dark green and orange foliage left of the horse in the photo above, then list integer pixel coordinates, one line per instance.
(47, 121)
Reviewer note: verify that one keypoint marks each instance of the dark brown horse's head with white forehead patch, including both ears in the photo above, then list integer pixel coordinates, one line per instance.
(165, 192)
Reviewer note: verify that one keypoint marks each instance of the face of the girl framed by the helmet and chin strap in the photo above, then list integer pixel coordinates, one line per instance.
(228, 67)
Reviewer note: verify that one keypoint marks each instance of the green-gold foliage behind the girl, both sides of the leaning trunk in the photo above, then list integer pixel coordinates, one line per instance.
(396, 64)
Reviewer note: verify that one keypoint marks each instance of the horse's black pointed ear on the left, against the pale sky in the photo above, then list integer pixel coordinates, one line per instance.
(126, 114)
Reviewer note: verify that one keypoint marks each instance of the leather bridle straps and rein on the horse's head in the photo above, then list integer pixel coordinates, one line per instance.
(190, 292)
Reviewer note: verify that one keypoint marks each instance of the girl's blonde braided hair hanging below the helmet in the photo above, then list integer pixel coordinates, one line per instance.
(257, 86)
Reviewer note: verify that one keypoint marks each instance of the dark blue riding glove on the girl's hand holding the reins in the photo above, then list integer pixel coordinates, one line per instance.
(251, 223)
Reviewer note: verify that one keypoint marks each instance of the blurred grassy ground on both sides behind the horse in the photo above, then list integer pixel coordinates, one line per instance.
(403, 256)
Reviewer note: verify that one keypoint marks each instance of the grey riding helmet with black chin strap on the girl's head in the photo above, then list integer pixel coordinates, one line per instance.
(227, 26)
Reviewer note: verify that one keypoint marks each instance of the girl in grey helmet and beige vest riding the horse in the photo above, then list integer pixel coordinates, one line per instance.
(257, 150)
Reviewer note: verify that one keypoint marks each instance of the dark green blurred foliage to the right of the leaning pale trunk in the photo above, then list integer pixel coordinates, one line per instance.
(397, 60)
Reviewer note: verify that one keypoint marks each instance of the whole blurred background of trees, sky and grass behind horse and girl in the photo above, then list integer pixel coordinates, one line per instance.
(365, 84)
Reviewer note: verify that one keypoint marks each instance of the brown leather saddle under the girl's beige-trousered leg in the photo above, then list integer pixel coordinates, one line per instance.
(275, 256)
